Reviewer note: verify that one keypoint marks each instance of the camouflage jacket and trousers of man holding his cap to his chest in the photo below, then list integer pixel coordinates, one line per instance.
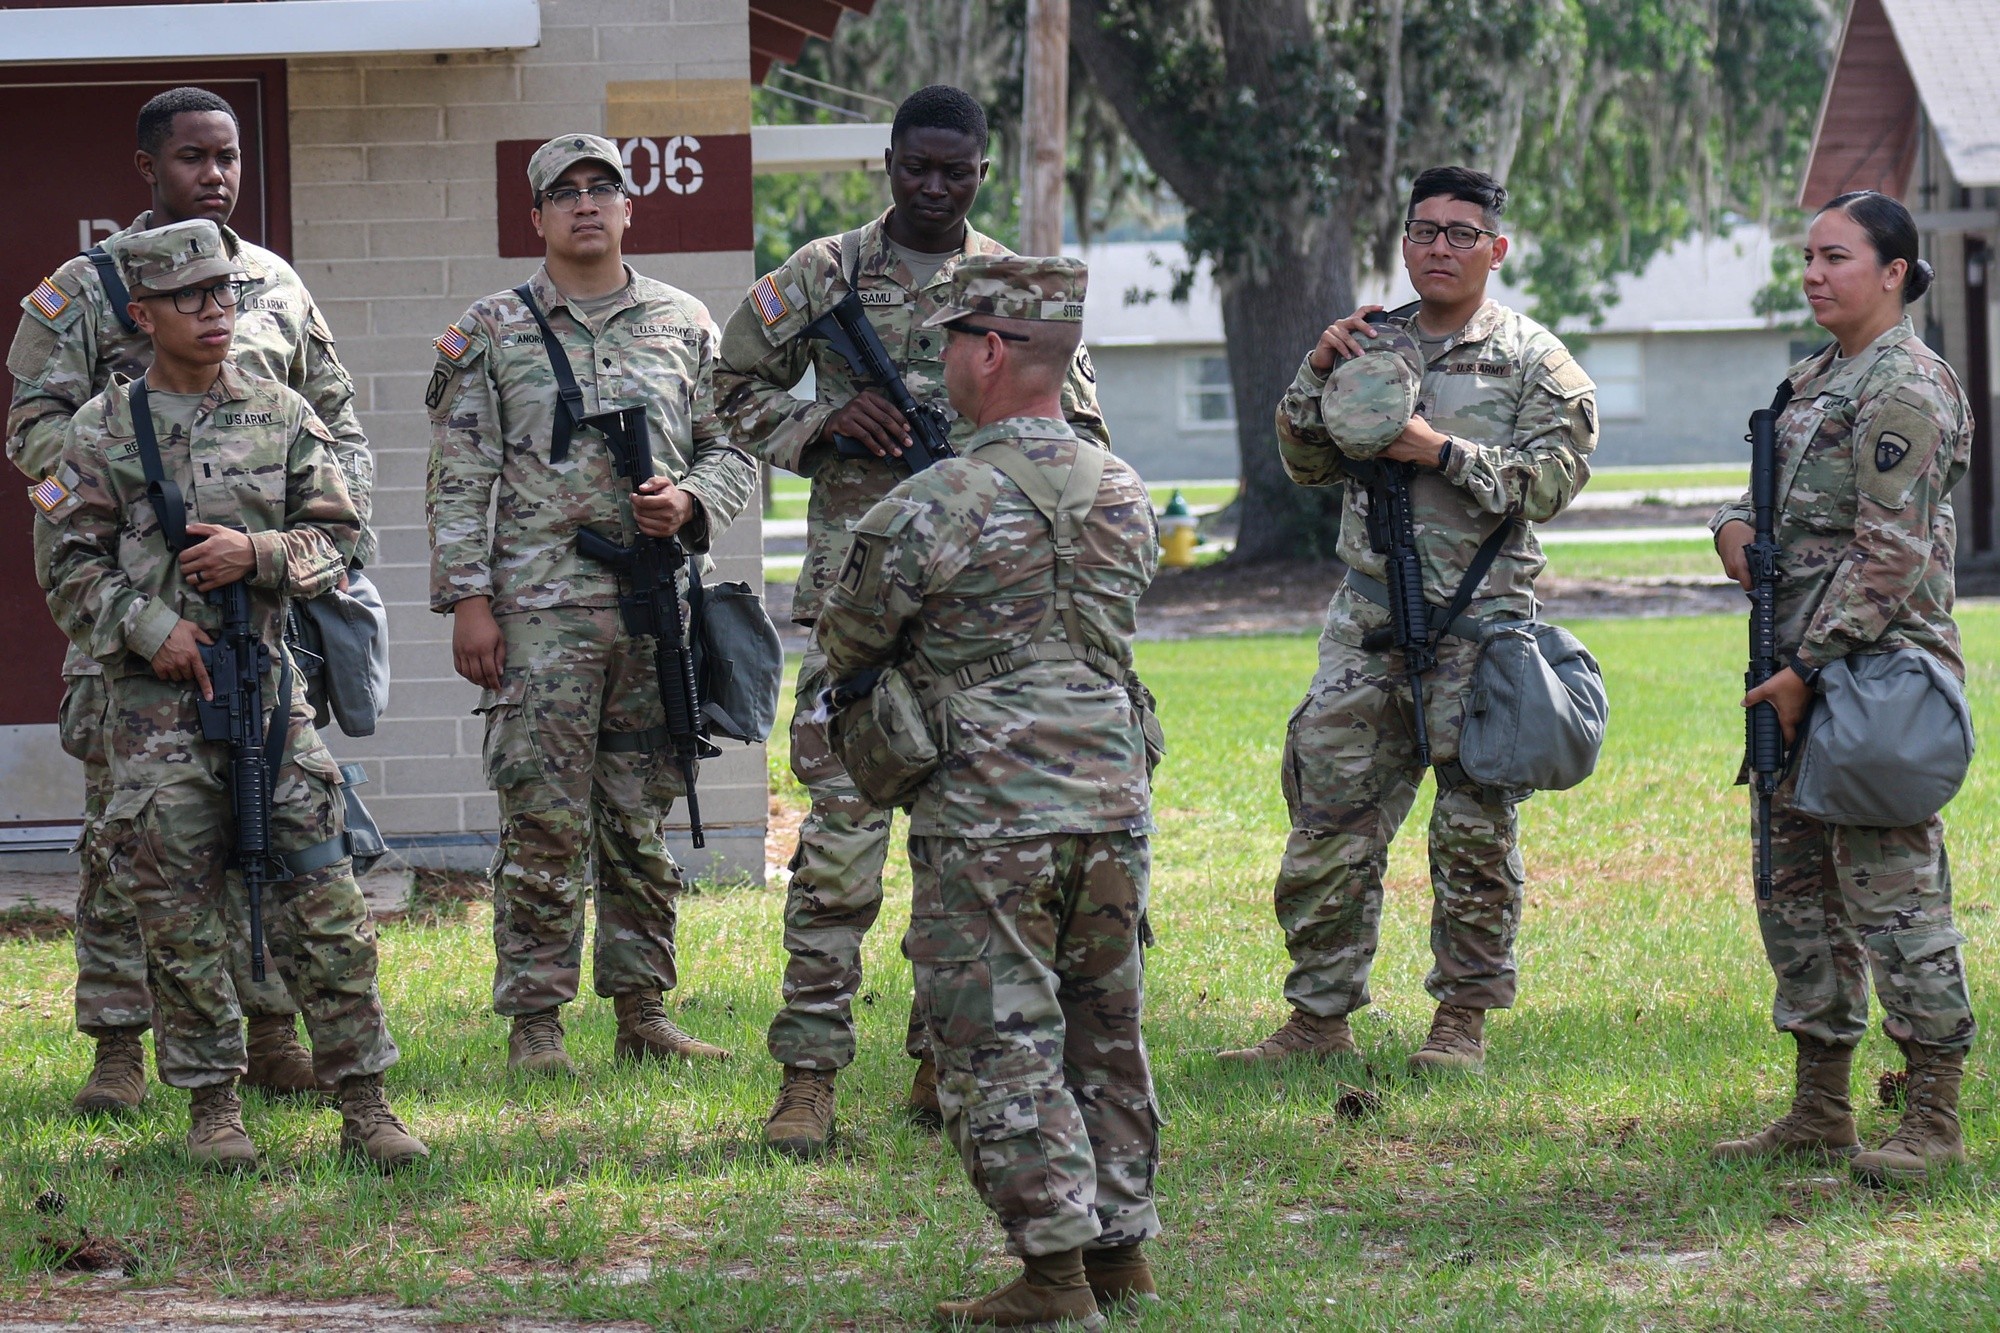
(1523, 421)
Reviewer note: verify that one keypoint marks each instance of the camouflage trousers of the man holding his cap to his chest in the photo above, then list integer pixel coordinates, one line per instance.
(1349, 780)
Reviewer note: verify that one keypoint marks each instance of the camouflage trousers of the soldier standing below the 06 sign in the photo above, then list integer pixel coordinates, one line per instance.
(575, 812)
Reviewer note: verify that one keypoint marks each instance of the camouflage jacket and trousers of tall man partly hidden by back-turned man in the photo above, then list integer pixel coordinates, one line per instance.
(837, 874)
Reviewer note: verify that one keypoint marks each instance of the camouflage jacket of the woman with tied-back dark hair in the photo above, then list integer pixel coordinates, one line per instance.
(1867, 457)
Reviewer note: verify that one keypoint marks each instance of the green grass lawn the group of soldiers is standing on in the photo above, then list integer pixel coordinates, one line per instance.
(1569, 1188)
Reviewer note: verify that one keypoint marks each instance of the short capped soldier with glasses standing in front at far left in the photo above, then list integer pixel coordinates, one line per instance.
(121, 593)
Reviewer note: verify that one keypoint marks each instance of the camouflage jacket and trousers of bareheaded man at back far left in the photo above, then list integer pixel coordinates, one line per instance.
(59, 363)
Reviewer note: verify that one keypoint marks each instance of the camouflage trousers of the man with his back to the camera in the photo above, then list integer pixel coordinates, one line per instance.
(1029, 958)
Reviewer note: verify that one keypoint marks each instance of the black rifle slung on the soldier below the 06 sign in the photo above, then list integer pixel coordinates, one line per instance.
(649, 599)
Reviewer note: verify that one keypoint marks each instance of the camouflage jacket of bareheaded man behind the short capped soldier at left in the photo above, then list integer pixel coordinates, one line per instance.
(65, 359)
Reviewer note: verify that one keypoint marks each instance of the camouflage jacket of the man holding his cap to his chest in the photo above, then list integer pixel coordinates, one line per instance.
(1523, 415)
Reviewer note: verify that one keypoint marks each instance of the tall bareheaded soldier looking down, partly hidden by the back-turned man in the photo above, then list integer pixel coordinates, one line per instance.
(901, 265)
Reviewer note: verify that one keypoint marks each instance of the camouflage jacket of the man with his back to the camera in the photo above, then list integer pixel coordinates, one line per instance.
(957, 567)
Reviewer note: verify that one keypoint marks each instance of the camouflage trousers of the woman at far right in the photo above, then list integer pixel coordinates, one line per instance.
(1849, 904)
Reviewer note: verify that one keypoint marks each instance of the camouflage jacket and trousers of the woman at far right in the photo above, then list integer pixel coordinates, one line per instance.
(1867, 457)
